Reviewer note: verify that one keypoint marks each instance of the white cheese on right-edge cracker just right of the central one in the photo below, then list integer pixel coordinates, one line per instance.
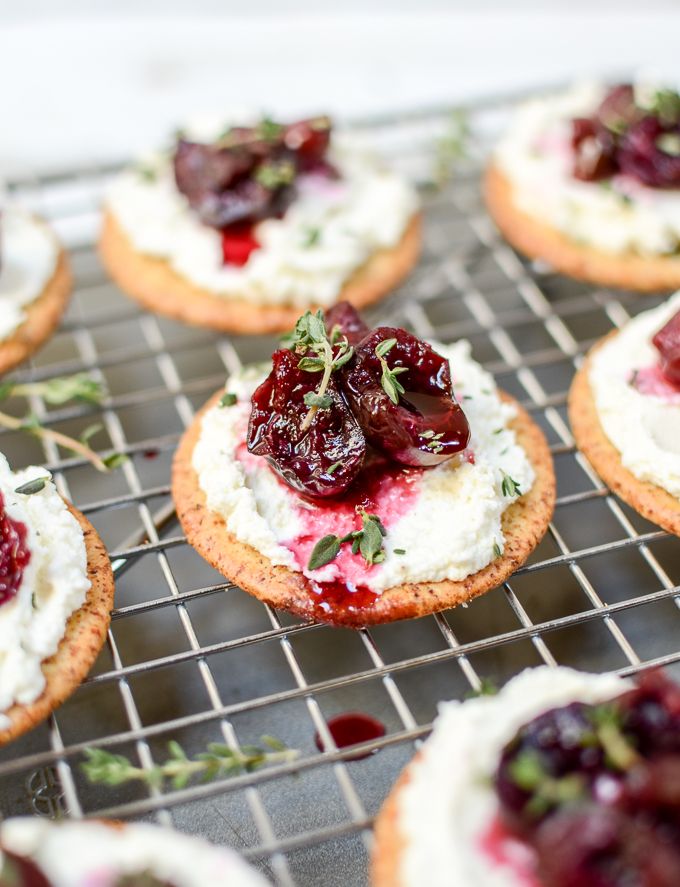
(644, 428)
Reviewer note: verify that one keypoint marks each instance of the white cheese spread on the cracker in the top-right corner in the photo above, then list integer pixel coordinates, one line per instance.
(618, 215)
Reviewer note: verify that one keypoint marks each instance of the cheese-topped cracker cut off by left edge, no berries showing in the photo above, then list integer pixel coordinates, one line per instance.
(35, 285)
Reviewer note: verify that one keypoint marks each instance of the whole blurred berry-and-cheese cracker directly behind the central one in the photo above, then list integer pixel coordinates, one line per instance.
(240, 228)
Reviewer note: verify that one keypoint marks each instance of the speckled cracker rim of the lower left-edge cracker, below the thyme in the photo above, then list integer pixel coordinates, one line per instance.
(83, 639)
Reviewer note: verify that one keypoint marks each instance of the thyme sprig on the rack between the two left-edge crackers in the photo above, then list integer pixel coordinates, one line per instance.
(58, 391)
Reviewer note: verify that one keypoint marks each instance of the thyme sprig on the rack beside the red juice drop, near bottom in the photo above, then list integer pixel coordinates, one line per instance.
(107, 768)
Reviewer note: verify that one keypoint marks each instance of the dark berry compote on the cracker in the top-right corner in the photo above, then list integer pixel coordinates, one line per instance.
(624, 137)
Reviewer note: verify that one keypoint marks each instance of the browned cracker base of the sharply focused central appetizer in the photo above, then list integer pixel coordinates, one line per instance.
(524, 524)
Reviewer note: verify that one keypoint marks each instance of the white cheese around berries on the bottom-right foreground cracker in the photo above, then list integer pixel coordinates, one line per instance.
(447, 806)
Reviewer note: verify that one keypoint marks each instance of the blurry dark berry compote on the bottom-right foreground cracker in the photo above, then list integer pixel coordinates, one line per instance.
(595, 789)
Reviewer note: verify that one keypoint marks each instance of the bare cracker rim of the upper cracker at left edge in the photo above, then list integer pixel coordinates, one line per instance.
(42, 318)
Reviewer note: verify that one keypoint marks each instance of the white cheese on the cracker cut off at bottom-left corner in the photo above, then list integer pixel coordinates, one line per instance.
(92, 854)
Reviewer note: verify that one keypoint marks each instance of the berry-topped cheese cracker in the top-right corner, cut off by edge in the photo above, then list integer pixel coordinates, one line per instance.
(589, 181)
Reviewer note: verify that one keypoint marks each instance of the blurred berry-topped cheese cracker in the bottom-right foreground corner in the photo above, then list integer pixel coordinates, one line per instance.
(562, 779)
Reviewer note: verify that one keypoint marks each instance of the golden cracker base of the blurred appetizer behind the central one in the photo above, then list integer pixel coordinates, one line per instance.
(153, 283)
